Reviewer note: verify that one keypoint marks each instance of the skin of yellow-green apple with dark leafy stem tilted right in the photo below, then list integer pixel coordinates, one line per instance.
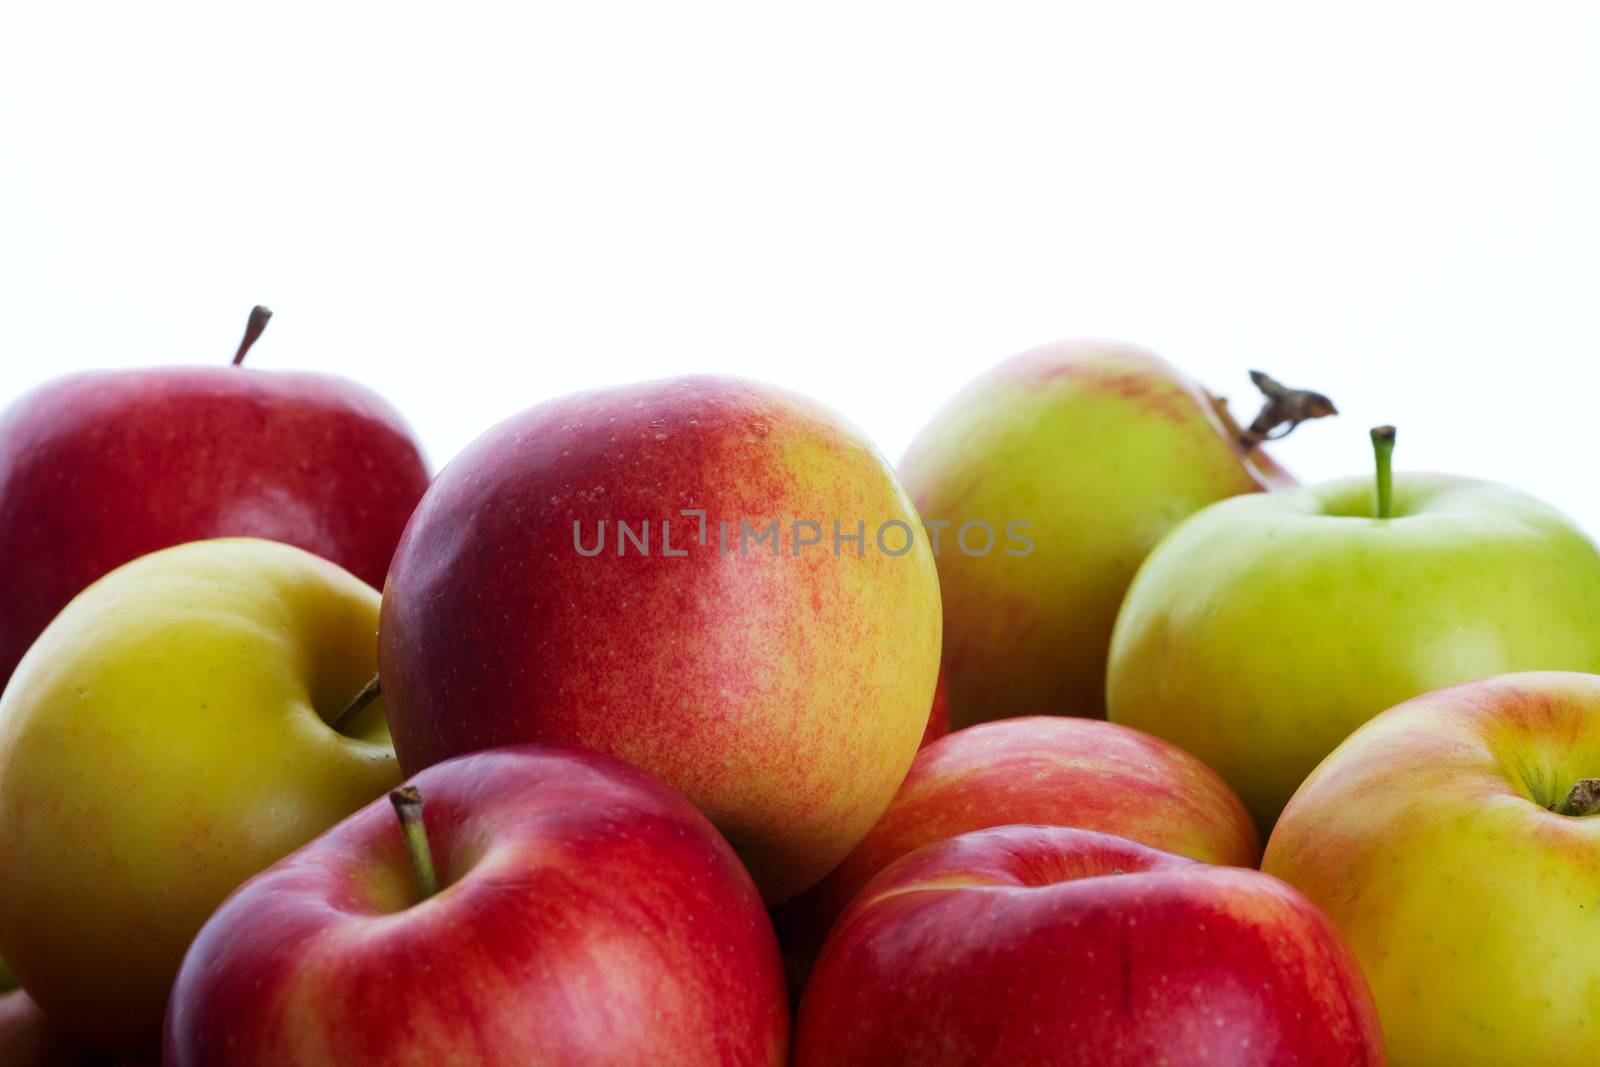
(1103, 449)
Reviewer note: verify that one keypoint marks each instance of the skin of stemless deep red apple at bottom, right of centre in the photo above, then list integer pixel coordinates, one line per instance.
(1028, 945)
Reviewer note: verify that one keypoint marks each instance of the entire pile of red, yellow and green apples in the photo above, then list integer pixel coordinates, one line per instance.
(686, 730)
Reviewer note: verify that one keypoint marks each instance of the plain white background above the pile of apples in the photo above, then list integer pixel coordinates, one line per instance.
(473, 209)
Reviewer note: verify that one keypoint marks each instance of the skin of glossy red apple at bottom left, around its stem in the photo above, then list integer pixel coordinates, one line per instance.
(590, 916)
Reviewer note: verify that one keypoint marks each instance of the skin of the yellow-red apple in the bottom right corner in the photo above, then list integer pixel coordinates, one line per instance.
(1428, 839)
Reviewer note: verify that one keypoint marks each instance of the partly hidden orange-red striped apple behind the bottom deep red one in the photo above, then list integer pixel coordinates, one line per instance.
(1044, 770)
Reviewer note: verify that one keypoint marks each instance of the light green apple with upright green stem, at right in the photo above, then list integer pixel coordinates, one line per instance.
(1265, 629)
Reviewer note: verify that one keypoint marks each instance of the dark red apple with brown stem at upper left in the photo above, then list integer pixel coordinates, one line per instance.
(102, 468)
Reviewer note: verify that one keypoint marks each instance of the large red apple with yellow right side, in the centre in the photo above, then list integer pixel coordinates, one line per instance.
(593, 572)
